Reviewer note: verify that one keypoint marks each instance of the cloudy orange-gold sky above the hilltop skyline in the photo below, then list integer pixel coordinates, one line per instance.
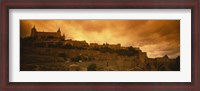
(156, 37)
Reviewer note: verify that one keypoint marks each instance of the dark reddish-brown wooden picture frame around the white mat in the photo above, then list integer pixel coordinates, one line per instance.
(118, 4)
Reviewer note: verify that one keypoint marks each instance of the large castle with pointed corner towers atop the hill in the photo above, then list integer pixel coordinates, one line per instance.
(47, 36)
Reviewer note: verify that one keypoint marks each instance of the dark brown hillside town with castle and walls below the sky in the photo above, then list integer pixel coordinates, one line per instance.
(50, 51)
